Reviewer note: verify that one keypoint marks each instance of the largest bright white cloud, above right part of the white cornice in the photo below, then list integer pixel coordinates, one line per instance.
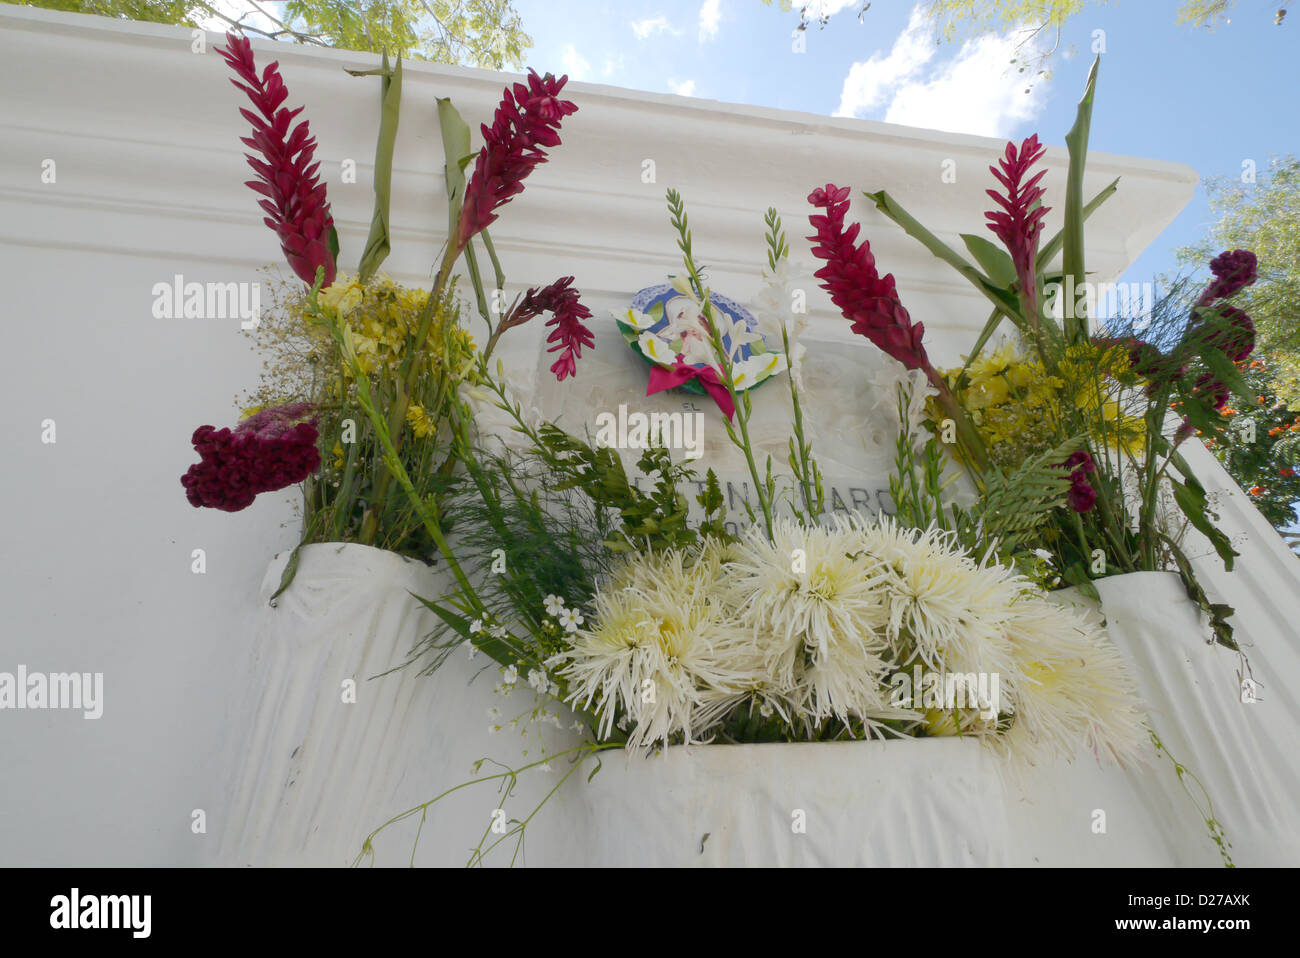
(972, 92)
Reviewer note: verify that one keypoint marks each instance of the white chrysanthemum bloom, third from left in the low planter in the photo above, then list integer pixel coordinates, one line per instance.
(944, 608)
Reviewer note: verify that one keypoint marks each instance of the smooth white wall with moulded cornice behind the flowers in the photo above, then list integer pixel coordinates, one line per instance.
(97, 561)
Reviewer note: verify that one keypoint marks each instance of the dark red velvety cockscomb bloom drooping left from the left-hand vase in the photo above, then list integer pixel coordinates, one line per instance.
(268, 452)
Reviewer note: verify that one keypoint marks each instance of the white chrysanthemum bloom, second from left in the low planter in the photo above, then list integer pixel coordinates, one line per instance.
(818, 612)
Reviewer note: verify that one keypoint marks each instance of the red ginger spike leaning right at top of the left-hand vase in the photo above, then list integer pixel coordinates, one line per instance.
(527, 120)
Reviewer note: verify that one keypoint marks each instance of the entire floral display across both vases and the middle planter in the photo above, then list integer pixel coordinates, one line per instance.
(658, 628)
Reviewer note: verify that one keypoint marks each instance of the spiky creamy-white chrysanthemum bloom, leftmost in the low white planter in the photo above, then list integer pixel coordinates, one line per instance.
(664, 651)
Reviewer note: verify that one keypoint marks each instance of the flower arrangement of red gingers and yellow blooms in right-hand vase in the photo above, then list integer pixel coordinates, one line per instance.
(1119, 406)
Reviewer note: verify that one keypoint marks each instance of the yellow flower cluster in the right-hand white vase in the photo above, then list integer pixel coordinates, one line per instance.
(1020, 409)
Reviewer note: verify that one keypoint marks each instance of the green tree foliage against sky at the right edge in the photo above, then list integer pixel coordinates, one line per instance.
(1266, 219)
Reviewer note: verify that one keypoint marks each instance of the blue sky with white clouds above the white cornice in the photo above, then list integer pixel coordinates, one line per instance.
(1207, 98)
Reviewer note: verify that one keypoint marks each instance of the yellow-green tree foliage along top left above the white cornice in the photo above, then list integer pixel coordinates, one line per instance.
(479, 33)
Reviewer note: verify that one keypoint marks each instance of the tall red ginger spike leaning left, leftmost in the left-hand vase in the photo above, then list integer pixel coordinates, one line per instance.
(294, 198)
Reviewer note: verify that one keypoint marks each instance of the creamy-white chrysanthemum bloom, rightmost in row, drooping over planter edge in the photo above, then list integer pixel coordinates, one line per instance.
(1074, 690)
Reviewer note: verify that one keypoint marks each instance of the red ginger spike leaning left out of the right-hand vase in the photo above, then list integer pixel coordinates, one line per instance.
(857, 289)
